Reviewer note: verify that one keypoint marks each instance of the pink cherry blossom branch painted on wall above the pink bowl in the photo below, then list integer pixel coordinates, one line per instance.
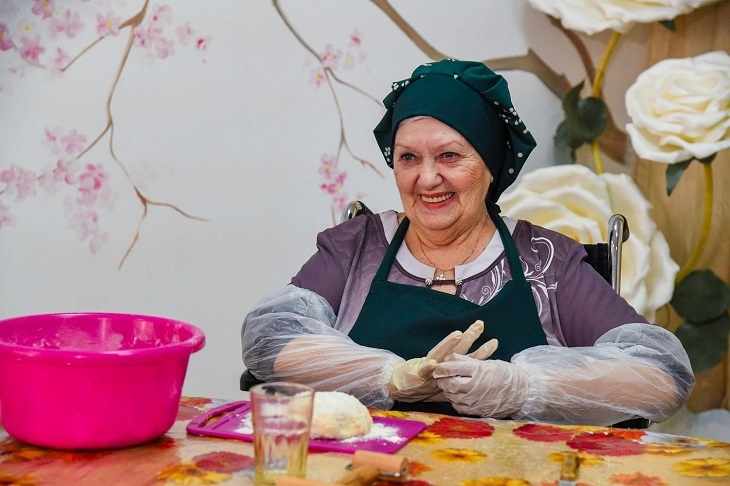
(53, 36)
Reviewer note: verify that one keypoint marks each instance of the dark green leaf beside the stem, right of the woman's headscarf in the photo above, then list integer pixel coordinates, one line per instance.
(585, 119)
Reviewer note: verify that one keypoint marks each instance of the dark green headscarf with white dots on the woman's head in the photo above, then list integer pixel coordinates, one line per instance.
(471, 99)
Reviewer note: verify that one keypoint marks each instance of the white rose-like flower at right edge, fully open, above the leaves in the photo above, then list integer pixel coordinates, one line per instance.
(680, 108)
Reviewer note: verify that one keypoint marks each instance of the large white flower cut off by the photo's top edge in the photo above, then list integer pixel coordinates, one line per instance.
(592, 16)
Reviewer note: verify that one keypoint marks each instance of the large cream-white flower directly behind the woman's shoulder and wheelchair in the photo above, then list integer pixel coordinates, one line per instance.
(575, 201)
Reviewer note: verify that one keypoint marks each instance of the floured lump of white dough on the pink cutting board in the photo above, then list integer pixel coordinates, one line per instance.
(337, 415)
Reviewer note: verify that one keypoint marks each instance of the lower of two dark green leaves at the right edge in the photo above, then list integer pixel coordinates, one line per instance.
(706, 344)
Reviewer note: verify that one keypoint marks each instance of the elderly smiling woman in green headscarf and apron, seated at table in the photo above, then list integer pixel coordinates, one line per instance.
(390, 305)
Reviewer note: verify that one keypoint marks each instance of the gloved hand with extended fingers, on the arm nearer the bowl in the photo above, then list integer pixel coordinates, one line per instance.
(412, 380)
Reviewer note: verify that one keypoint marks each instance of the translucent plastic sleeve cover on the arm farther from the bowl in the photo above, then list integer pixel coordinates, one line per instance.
(634, 370)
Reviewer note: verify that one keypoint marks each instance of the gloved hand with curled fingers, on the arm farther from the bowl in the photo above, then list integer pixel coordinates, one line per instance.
(490, 388)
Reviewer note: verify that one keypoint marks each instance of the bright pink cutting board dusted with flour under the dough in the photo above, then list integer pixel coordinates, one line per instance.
(233, 421)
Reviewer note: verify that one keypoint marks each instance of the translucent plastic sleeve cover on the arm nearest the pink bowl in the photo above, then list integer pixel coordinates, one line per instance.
(289, 335)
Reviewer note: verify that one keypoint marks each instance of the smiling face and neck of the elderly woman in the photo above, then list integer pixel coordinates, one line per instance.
(443, 183)
